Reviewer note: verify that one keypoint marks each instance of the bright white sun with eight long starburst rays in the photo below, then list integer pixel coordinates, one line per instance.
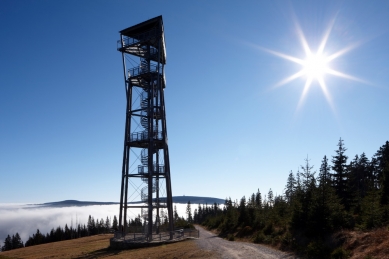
(315, 66)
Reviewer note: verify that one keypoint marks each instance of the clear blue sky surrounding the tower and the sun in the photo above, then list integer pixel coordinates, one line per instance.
(62, 99)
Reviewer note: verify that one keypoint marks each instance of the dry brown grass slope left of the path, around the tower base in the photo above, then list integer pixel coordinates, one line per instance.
(97, 247)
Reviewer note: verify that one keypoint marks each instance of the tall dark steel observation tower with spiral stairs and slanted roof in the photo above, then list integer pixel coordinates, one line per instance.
(145, 180)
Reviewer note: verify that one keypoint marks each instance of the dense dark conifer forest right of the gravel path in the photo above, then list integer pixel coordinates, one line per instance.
(346, 194)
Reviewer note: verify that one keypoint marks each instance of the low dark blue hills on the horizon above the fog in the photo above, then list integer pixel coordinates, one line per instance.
(176, 199)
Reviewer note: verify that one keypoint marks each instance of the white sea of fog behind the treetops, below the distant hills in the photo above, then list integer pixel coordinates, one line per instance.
(26, 219)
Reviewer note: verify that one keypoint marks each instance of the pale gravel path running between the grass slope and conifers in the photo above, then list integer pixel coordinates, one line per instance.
(234, 249)
